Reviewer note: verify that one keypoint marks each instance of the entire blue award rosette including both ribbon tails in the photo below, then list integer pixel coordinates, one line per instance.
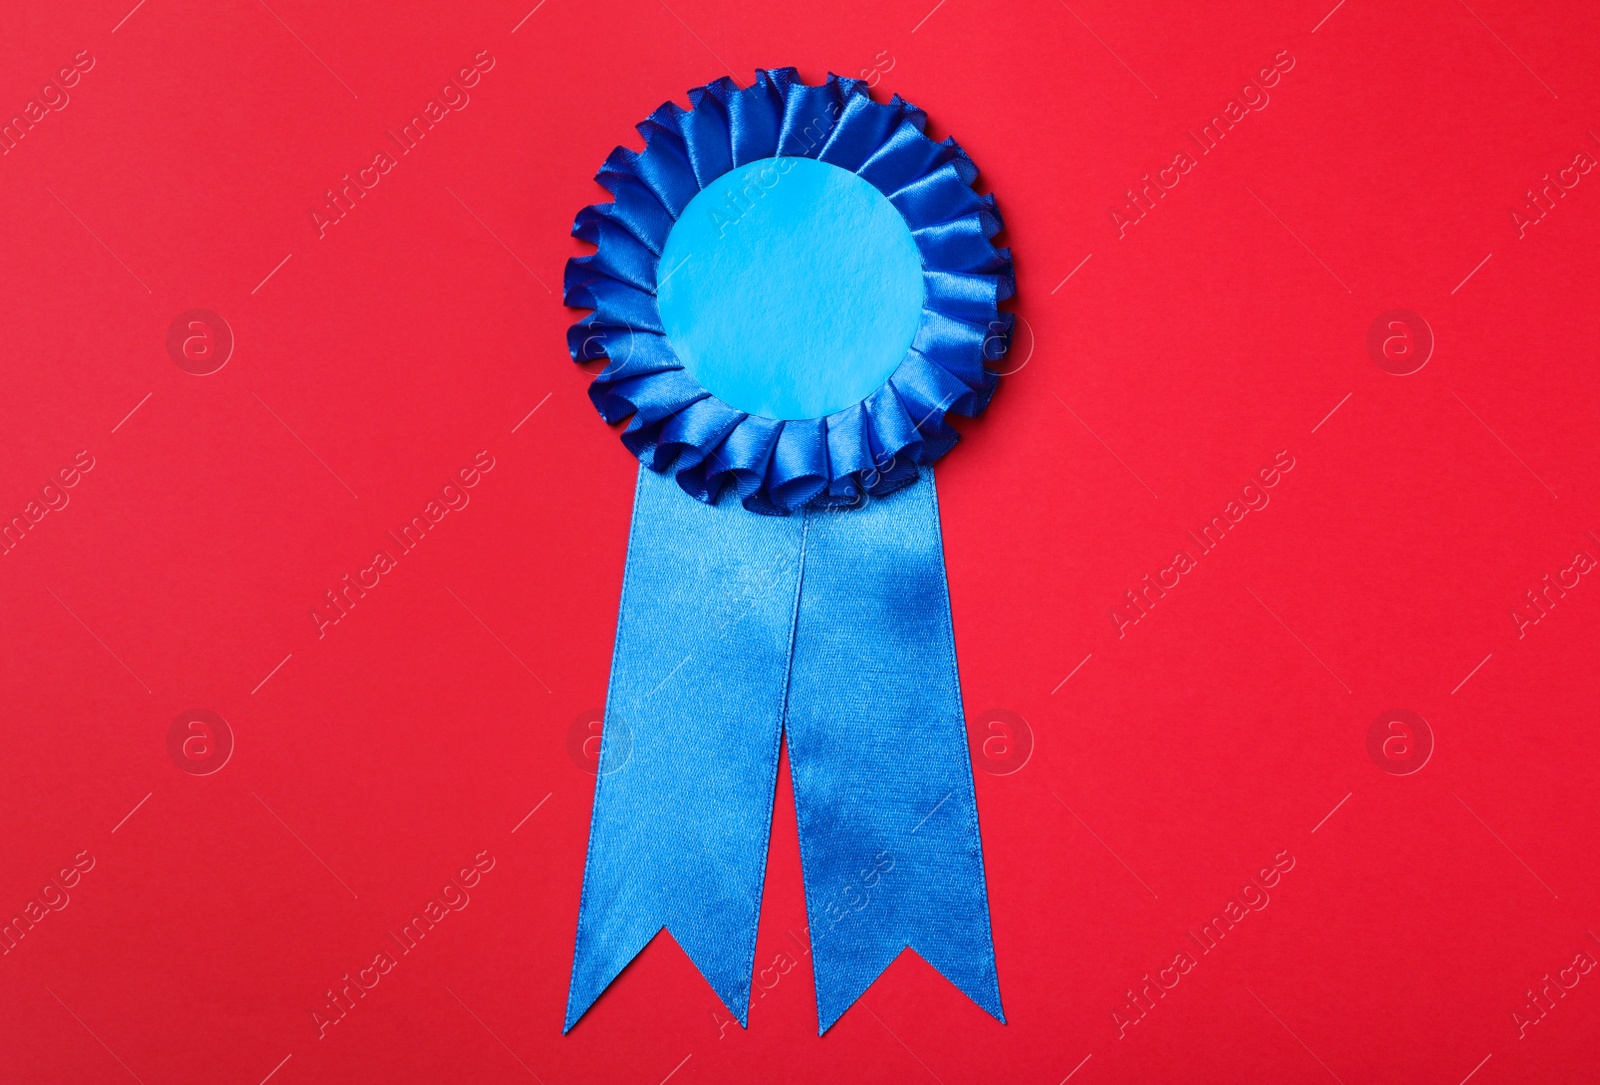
(793, 287)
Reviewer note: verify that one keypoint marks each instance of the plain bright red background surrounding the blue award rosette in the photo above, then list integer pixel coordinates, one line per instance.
(1177, 761)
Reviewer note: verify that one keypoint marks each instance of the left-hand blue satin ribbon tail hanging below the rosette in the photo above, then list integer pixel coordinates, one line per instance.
(689, 755)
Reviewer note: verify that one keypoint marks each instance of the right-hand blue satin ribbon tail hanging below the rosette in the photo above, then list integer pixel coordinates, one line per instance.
(878, 748)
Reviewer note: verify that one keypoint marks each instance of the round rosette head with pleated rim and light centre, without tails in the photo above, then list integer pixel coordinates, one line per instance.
(793, 287)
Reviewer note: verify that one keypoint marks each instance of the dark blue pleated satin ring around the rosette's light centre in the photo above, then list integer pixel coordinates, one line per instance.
(780, 466)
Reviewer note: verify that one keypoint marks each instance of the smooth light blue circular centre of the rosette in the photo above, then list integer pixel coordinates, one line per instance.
(791, 289)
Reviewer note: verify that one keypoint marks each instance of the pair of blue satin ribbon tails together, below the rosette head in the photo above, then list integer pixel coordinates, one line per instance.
(732, 631)
